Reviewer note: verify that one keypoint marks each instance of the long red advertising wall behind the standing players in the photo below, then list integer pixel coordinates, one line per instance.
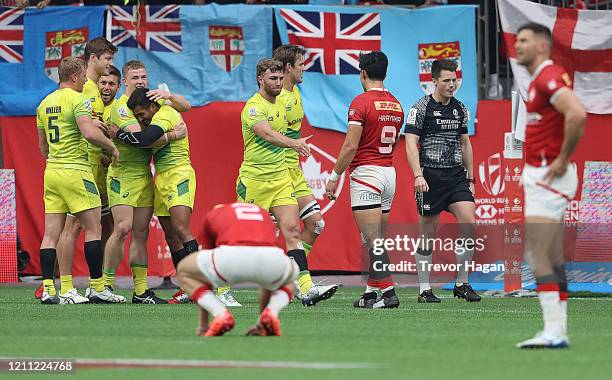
(216, 153)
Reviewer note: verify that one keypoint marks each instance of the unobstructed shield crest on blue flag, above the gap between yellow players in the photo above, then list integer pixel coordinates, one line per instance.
(226, 45)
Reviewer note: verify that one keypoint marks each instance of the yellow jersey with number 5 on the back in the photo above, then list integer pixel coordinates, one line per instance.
(57, 115)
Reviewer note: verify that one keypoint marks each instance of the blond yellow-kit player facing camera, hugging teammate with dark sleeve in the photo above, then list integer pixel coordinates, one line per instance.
(130, 187)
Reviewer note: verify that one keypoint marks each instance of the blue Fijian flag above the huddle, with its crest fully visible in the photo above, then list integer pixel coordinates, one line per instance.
(205, 53)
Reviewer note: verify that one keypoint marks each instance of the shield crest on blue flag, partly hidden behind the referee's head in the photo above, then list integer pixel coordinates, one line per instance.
(428, 53)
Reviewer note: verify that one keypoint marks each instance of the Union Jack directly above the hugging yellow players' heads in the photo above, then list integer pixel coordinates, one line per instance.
(150, 27)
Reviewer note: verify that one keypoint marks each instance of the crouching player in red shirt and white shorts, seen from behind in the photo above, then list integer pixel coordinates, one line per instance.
(239, 246)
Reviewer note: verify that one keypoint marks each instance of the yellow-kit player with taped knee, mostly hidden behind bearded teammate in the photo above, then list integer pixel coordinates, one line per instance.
(292, 58)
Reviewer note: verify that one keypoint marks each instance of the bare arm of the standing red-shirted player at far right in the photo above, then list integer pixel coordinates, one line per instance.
(575, 117)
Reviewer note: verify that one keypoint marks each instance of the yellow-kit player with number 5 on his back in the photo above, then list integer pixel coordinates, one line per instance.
(65, 127)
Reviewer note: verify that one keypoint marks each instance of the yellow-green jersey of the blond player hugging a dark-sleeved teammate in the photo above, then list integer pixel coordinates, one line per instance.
(133, 161)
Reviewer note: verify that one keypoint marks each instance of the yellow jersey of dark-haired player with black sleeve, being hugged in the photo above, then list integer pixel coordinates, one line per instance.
(175, 153)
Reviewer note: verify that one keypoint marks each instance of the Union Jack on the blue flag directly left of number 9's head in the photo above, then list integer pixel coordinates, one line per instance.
(332, 40)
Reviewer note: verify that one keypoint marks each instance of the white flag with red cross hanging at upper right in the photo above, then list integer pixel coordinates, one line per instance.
(582, 45)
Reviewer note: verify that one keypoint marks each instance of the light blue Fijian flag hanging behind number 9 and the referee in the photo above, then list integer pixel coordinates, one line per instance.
(411, 39)
